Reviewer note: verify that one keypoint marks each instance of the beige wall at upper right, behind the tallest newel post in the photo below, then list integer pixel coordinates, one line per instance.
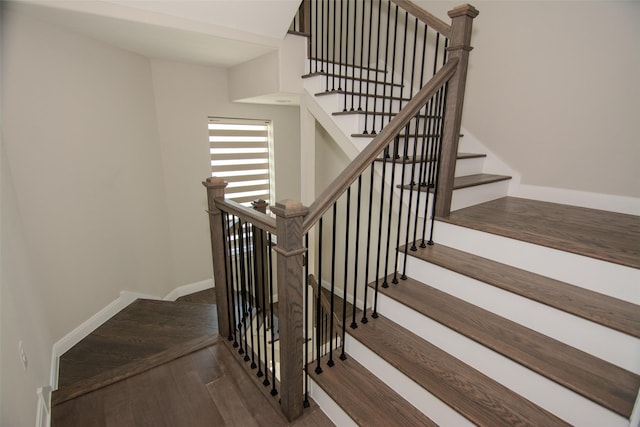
(553, 90)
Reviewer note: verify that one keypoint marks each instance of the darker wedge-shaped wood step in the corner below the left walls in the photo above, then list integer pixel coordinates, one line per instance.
(145, 334)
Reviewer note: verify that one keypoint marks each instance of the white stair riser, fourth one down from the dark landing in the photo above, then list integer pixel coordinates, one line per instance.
(424, 401)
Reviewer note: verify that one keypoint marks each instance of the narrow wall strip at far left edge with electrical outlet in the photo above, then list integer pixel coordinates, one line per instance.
(21, 315)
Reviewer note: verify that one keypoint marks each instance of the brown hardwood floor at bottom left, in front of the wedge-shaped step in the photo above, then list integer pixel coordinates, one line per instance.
(205, 388)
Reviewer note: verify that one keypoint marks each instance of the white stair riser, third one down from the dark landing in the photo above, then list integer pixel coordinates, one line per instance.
(545, 393)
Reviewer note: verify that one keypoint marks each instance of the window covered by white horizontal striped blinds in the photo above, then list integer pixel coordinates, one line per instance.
(241, 154)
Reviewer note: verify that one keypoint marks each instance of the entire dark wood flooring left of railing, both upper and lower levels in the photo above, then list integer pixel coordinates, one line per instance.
(160, 363)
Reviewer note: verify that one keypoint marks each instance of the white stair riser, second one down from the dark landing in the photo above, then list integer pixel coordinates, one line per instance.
(612, 346)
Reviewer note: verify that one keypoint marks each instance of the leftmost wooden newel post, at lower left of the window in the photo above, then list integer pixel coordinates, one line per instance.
(215, 189)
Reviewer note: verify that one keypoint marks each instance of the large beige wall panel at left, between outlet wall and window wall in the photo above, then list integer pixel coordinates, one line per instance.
(80, 136)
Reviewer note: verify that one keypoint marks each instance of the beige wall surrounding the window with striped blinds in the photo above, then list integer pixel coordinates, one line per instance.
(185, 96)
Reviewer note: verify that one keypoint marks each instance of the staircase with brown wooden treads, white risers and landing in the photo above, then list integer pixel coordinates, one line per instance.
(474, 335)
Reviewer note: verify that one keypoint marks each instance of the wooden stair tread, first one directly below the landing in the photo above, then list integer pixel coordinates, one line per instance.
(611, 312)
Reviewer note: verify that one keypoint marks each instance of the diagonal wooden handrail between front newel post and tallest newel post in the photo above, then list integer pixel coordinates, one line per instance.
(369, 154)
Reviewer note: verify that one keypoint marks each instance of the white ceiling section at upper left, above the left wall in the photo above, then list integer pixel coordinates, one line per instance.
(209, 32)
